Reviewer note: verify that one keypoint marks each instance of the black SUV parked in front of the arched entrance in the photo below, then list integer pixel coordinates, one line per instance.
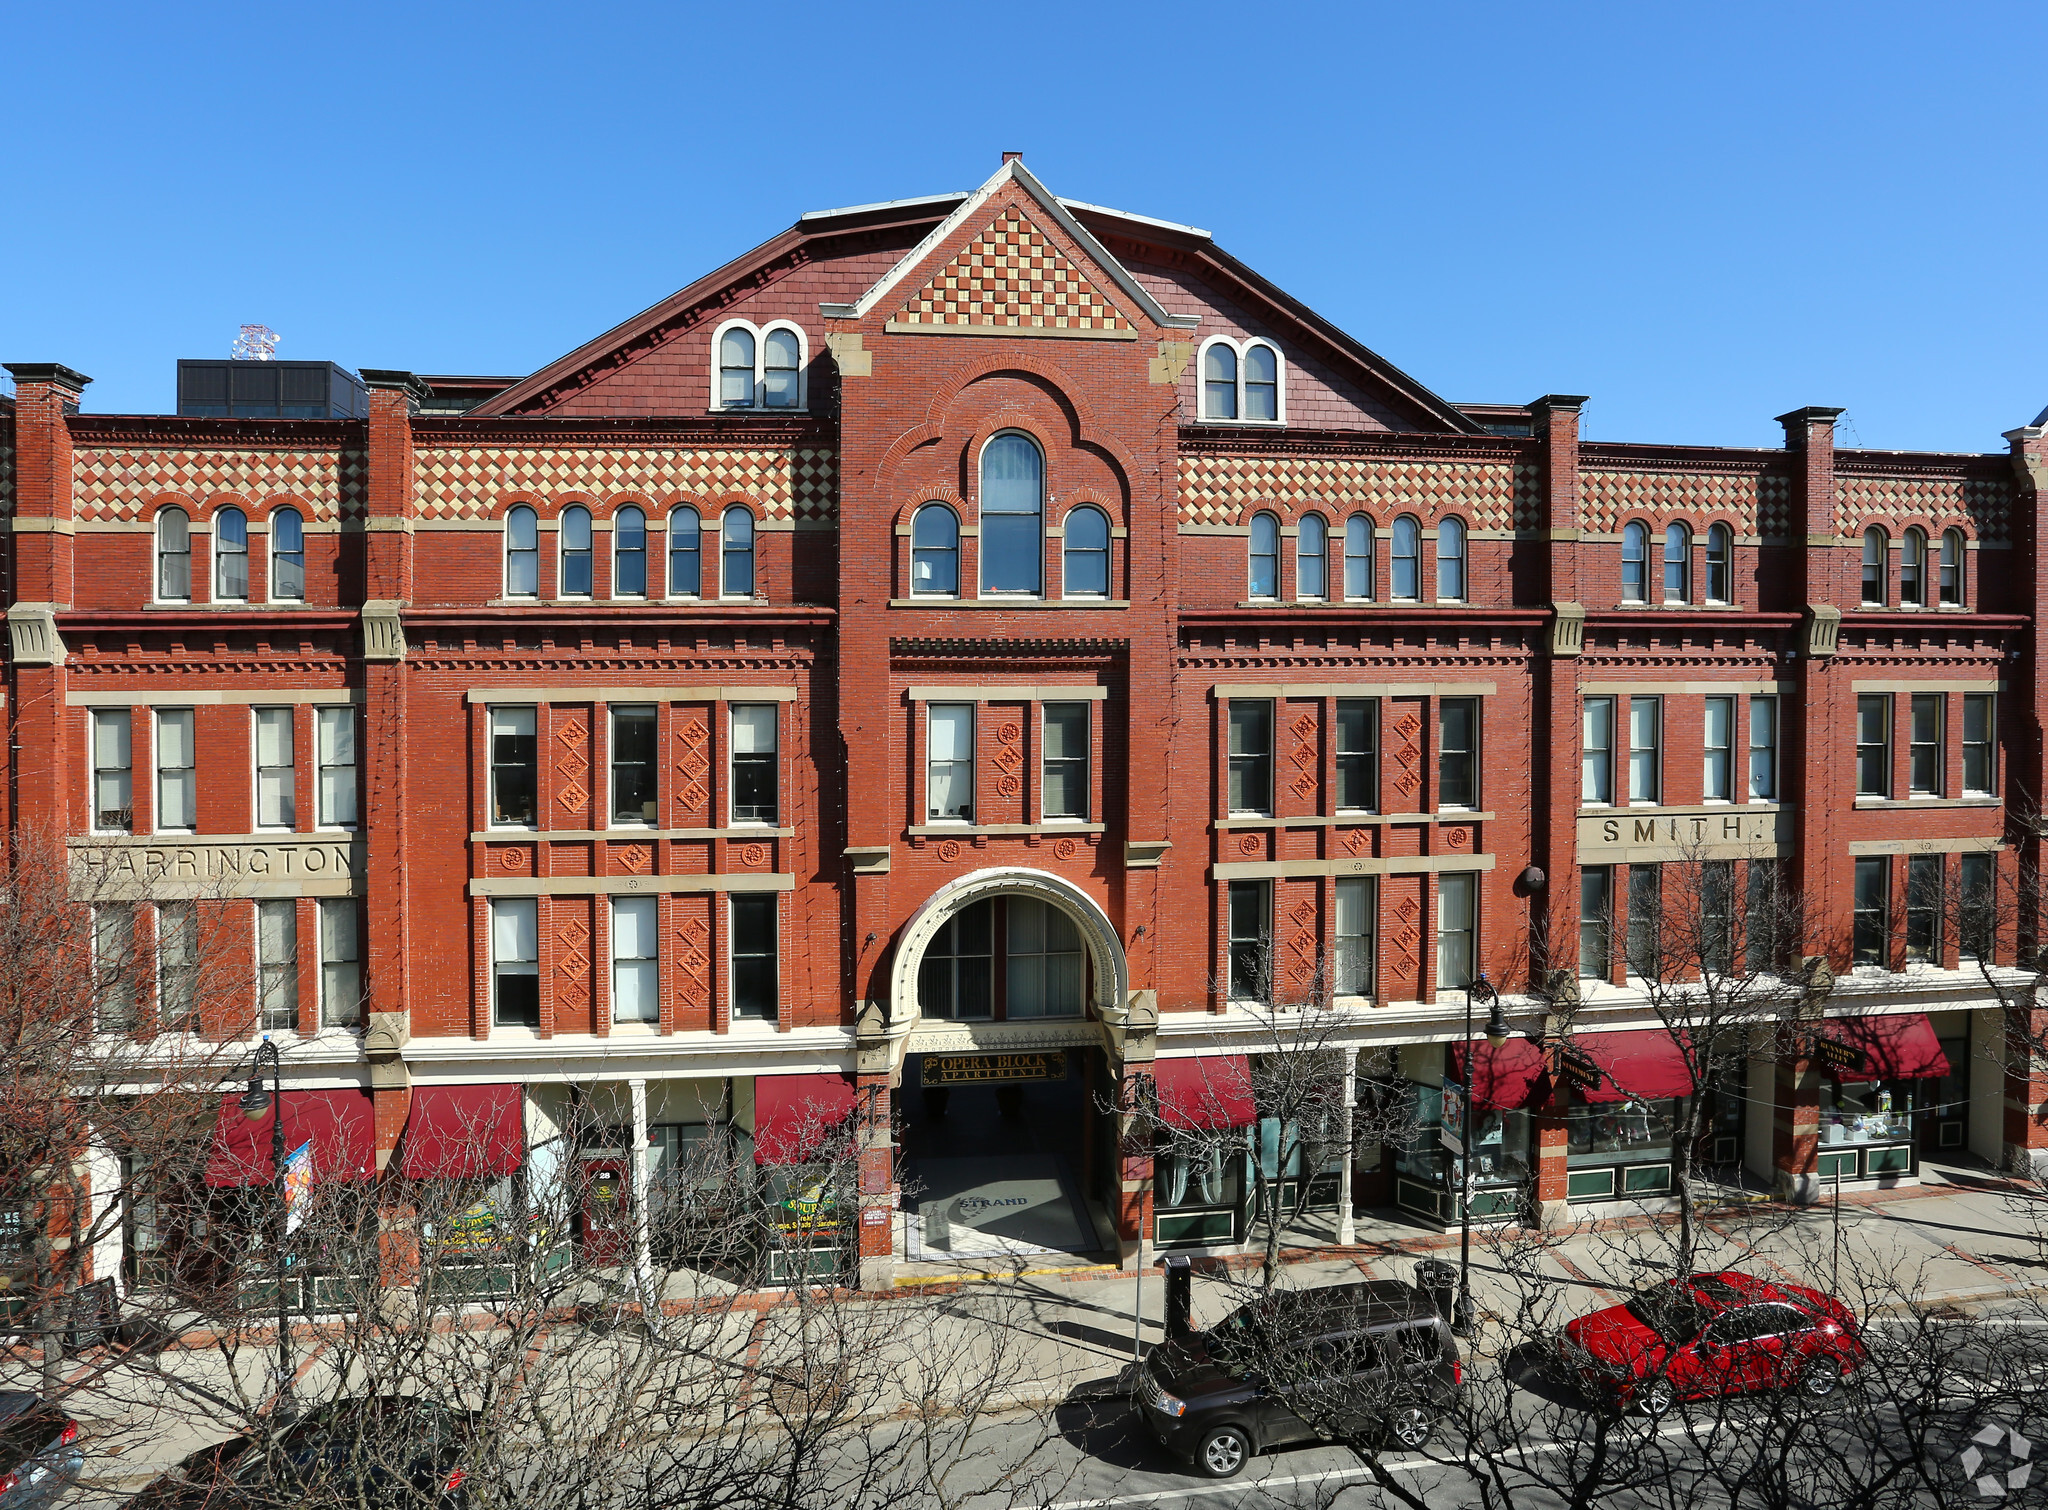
(1304, 1366)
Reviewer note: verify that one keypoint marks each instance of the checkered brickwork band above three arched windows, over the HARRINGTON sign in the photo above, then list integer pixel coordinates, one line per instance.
(116, 483)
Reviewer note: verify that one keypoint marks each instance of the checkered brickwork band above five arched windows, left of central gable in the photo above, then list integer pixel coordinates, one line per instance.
(787, 483)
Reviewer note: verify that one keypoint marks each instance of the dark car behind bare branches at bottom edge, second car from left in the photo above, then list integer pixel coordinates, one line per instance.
(386, 1452)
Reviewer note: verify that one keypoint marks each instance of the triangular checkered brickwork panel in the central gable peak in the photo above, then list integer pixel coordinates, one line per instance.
(1013, 278)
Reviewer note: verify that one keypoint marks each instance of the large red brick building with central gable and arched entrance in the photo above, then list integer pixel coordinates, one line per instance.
(1000, 626)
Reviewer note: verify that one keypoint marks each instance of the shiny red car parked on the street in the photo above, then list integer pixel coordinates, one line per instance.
(1713, 1335)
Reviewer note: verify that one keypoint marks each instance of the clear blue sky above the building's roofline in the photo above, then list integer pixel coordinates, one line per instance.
(1699, 216)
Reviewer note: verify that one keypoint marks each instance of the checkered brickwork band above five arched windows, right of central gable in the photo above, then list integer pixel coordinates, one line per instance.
(1215, 489)
